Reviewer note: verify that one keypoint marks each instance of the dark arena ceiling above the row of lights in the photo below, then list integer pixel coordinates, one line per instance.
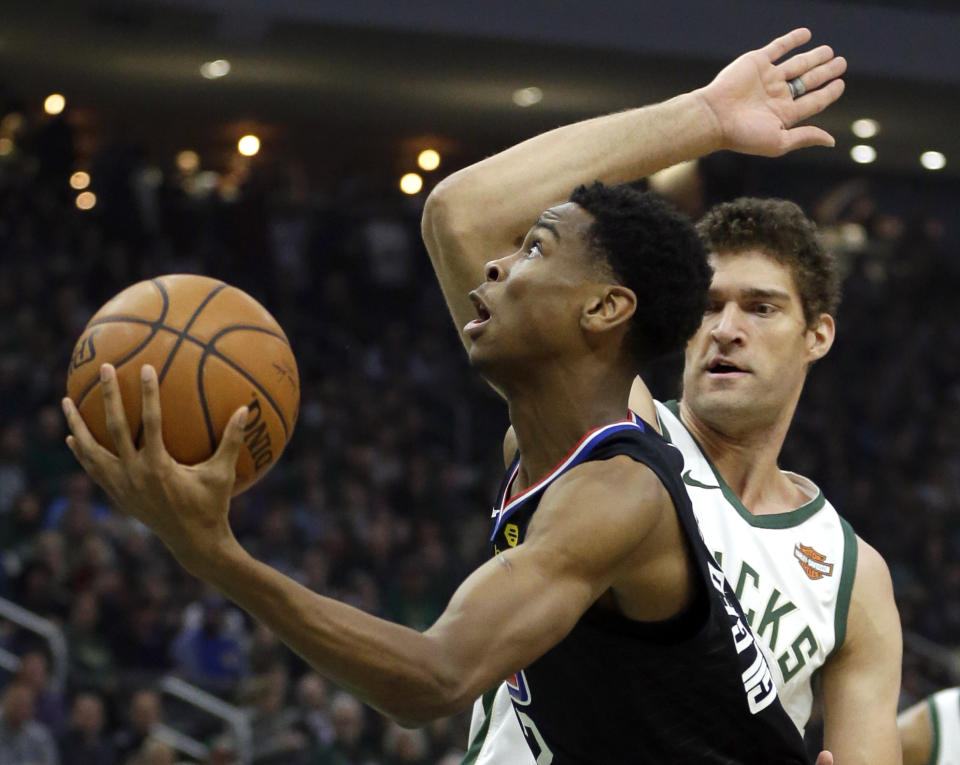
(351, 82)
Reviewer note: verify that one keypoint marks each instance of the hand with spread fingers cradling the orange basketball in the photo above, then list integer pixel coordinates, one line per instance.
(186, 506)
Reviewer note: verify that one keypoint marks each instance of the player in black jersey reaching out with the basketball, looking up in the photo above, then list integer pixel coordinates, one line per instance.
(621, 640)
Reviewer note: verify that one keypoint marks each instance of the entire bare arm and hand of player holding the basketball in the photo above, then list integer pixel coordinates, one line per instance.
(510, 611)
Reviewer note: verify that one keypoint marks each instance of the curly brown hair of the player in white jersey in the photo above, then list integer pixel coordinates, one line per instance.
(779, 229)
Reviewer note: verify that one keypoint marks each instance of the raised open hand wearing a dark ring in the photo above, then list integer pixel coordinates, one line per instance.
(754, 107)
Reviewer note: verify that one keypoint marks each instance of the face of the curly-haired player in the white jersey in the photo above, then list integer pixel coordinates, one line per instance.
(746, 364)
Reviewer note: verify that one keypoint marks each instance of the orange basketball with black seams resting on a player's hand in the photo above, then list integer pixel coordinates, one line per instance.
(215, 349)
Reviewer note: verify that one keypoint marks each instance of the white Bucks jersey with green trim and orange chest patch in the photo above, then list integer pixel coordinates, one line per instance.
(792, 573)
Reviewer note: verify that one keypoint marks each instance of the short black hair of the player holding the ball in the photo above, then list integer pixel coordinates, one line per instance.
(653, 249)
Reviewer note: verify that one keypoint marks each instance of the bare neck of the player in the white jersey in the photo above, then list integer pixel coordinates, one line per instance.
(747, 460)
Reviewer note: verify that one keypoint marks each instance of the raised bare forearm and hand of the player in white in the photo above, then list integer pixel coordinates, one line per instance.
(482, 212)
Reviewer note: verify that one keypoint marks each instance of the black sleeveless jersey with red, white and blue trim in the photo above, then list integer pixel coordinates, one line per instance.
(691, 689)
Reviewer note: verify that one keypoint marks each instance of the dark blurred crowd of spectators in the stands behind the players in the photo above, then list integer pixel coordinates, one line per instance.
(381, 497)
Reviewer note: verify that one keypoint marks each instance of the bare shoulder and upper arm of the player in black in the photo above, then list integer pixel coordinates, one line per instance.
(582, 541)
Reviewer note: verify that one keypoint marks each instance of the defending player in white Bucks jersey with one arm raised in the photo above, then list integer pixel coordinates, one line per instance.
(819, 598)
